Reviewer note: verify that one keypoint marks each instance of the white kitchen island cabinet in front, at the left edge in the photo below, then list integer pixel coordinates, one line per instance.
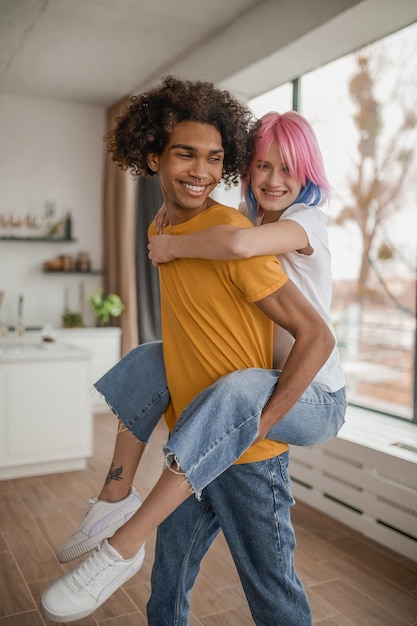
(45, 408)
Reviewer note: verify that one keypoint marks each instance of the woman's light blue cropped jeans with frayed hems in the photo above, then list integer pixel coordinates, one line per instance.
(222, 421)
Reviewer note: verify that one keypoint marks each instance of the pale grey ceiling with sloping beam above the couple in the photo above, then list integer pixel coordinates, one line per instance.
(98, 51)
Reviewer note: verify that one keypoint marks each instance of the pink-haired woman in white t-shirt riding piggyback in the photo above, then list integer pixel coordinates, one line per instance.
(284, 187)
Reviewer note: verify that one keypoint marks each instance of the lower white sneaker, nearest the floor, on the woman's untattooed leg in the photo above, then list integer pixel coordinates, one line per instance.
(81, 591)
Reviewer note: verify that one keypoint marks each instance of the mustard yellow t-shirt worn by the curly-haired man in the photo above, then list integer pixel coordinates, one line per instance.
(210, 323)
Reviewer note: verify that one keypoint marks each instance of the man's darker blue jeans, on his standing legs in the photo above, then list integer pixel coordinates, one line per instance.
(251, 504)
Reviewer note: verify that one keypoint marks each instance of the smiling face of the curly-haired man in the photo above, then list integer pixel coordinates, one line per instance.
(189, 168)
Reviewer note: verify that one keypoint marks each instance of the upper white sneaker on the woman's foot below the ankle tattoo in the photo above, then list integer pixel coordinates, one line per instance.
(101, 521)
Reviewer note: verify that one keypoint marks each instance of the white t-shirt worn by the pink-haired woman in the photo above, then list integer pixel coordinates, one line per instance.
(312, 275)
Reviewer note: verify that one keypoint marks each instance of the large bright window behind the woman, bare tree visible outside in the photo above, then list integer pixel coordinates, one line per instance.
(363, 110)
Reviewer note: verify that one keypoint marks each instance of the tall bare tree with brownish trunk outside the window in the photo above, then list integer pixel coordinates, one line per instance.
(382, 177)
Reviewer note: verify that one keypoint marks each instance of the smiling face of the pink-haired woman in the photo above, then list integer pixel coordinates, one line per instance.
(273, 186)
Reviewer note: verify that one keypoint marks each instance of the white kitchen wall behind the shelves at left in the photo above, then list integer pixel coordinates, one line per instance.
(49, 151)
